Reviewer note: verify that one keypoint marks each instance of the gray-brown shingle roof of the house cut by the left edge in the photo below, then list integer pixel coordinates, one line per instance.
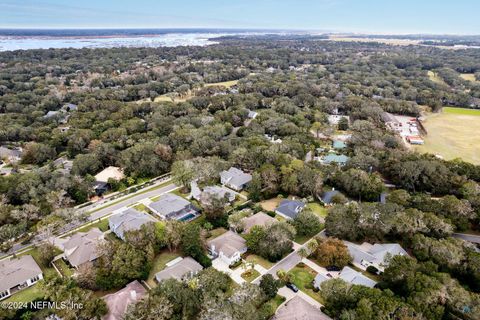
(16, 271)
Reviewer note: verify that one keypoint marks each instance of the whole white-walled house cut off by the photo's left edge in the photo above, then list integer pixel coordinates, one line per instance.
(17, 274)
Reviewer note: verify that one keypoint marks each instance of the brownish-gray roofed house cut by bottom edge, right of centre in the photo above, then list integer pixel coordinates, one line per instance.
(299, 309)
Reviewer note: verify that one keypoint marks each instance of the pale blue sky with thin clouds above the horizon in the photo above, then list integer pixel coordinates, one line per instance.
(360, 16)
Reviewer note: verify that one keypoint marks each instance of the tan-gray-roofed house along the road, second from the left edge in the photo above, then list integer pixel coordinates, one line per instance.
(82, 247)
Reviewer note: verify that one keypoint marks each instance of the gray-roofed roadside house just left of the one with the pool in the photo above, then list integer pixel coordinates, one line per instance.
(128, 220)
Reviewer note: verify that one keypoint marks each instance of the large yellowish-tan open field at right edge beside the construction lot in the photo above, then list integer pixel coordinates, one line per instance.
(451, 134)
